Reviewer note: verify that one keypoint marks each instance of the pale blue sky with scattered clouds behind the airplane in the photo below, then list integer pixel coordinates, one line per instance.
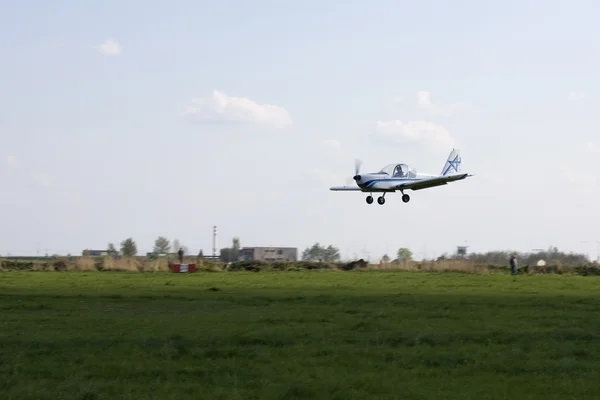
(145, 119)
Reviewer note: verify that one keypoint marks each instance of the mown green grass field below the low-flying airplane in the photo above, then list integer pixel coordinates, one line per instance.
(285, 335)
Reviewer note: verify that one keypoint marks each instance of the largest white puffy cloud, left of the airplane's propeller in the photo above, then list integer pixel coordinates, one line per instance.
(221, 107)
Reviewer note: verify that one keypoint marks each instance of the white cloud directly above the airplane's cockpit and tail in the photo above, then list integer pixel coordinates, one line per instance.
(417, 132)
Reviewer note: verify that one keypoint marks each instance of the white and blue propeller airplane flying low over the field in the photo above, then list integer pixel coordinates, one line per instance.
(401, 177)
